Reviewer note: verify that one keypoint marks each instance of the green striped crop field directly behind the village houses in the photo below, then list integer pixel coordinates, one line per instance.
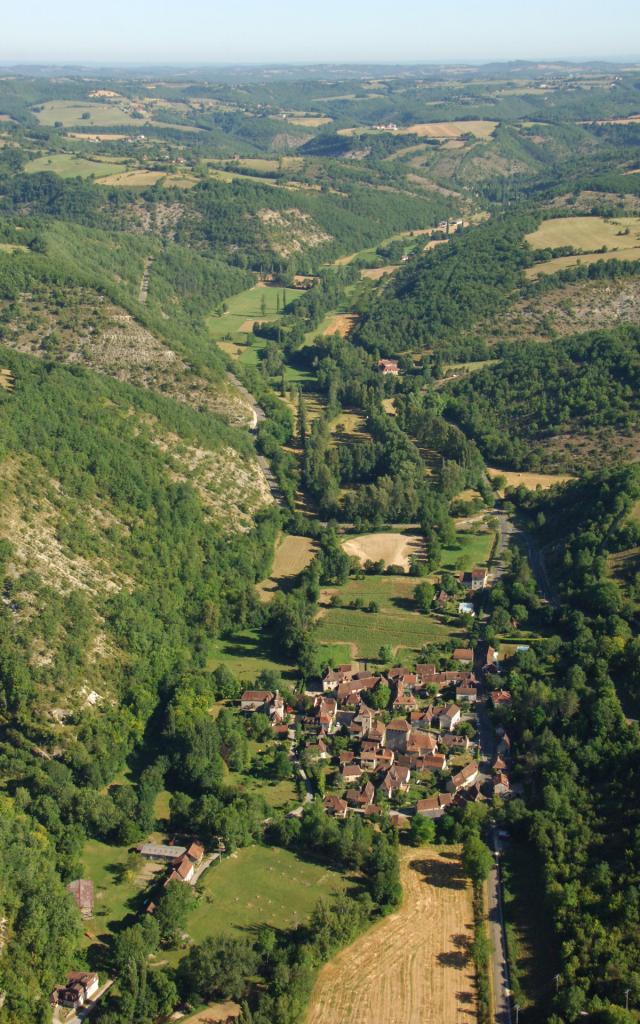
(398, 623)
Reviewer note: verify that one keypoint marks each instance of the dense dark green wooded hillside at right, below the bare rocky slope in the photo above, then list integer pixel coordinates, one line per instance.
(582, 386)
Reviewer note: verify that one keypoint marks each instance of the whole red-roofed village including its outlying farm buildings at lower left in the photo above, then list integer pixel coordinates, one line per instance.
(400, 742)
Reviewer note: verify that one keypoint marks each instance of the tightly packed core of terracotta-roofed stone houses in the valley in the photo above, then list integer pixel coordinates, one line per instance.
(422, 737)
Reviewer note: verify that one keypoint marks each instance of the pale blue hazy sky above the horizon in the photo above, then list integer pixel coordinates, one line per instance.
(346, 31)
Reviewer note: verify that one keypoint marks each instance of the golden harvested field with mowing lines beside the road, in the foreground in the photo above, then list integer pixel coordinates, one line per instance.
(426, 975)
